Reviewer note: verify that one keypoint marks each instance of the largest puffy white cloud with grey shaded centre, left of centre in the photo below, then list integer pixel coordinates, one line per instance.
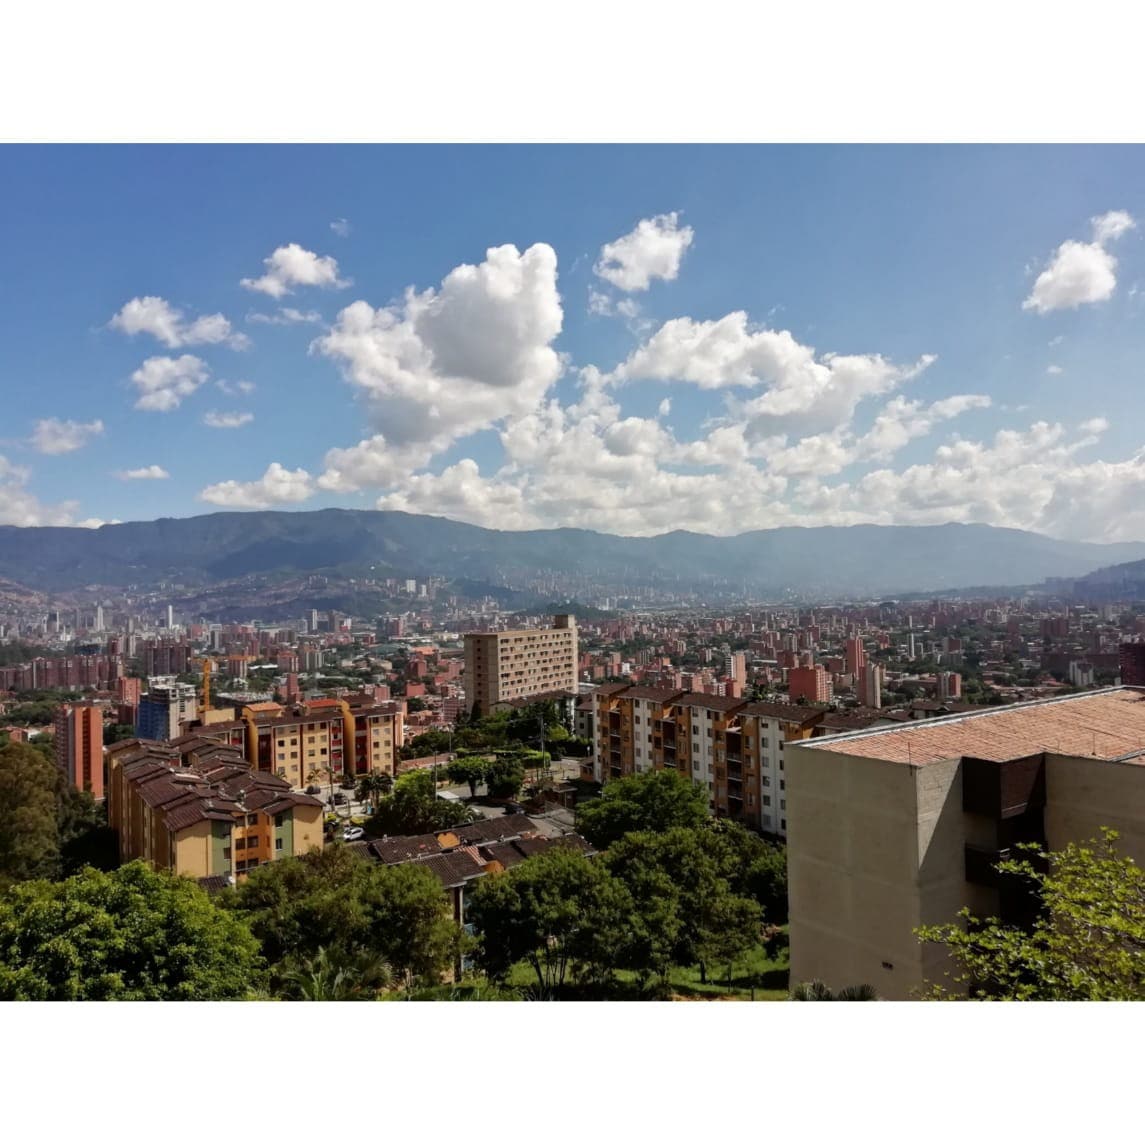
(451, 362)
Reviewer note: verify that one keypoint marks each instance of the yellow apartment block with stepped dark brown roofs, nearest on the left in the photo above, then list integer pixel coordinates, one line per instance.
(196, 808)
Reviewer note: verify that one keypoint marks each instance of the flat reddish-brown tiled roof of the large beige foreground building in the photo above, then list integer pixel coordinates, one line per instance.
(1102, 725)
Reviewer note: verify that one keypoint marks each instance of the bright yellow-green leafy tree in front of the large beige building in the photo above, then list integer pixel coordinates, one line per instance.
(1087, 944)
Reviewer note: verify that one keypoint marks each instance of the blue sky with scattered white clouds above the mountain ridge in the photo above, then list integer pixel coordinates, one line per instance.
(629, 339)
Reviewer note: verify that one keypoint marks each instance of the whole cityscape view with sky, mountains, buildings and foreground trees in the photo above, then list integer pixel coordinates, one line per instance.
(560, 597)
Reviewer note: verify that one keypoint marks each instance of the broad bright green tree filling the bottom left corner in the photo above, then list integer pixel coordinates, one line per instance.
(133, 935)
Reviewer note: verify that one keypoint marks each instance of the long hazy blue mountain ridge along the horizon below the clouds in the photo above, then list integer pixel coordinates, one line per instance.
(859, 560)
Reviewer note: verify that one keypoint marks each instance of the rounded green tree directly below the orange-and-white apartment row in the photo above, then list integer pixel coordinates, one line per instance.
(652, 802)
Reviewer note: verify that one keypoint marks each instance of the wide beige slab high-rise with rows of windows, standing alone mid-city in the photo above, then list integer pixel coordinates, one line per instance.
(524, 662)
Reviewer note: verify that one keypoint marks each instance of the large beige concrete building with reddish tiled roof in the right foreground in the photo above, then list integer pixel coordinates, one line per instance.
(899, 827)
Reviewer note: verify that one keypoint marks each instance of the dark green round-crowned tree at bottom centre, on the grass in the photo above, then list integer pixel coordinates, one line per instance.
(557, 912)
